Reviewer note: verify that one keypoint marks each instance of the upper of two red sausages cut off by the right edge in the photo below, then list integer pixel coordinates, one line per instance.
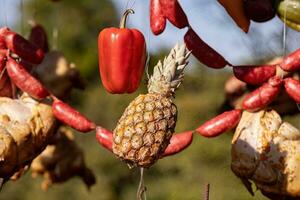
(291, 62)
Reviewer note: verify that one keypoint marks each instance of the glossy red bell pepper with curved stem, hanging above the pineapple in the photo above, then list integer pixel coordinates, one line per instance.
(122, 57)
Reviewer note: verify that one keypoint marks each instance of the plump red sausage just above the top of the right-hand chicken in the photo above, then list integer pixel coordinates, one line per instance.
(263, 96)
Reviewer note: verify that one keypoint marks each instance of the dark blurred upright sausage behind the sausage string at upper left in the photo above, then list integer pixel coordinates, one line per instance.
(38, 37)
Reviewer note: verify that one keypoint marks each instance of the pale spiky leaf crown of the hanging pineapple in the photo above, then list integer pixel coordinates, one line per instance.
(167, 76)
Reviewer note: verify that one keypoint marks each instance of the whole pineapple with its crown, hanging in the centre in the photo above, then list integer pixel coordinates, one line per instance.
(147, 124)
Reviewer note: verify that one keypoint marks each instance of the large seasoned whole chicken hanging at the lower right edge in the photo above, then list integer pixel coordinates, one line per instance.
(266, 150)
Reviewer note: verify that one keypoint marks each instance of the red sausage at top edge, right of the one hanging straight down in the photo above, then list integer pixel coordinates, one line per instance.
(174, 13)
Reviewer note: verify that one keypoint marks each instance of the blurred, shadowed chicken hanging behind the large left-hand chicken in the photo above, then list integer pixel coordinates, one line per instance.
(58, 164)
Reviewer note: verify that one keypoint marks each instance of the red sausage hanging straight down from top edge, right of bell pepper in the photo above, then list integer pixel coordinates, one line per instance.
(157, 19)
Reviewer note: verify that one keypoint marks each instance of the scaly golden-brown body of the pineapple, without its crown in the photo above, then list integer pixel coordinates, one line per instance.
(145, 129)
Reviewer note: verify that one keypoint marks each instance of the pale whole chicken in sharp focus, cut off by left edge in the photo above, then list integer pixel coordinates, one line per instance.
(25, 129)
